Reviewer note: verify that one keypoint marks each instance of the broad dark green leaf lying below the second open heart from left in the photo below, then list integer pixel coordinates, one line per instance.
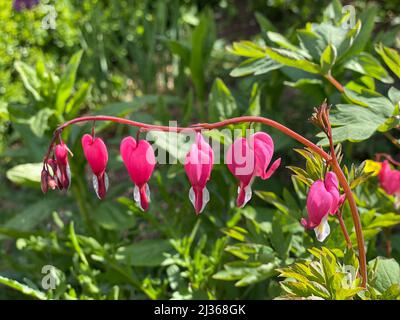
(145, 253)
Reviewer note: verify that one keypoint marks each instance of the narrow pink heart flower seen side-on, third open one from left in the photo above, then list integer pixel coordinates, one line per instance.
(198, 165)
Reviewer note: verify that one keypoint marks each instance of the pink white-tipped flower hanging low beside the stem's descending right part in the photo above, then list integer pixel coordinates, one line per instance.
(323, 199)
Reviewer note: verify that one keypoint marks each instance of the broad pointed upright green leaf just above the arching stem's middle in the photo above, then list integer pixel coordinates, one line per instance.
(222, 104)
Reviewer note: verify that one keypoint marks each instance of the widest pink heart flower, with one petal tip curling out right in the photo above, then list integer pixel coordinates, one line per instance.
(250, 158)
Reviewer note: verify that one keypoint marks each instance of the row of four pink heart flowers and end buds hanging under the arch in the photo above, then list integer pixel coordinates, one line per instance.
(246, 159)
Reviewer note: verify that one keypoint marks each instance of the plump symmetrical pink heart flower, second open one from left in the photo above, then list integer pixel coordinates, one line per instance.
(140, 161)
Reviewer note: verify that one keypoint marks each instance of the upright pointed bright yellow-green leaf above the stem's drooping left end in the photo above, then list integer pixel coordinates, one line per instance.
(67, 81)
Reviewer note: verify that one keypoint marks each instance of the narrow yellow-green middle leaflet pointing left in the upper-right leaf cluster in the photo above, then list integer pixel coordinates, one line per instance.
(292, 59)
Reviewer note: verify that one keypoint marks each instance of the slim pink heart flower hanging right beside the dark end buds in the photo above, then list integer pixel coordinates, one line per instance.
(96, 154)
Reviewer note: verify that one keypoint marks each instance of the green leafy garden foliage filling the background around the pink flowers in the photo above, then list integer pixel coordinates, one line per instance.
(192, 61)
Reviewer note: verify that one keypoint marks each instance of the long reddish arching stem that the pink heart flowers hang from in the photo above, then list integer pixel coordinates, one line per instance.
(330, 159)
